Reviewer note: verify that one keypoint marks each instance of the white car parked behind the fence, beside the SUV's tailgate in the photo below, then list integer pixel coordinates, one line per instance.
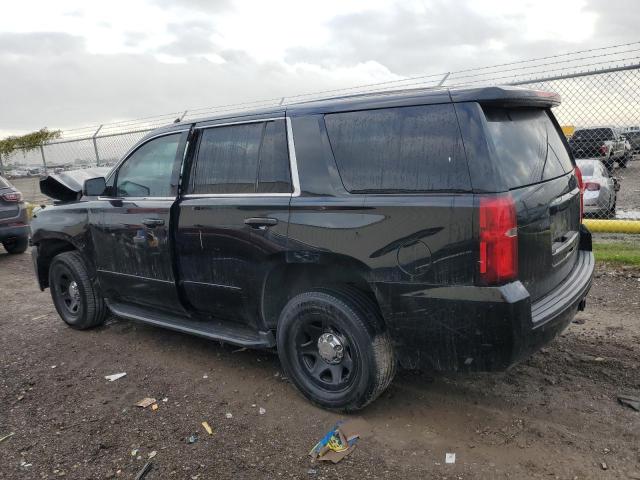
(600, 188)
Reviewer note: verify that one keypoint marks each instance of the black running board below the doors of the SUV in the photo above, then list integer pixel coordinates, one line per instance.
(213, 330)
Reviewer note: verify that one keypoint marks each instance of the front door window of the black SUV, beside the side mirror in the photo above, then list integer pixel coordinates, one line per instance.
(149, 170)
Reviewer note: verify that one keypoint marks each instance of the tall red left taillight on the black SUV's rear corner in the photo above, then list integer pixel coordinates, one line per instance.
(498, 240)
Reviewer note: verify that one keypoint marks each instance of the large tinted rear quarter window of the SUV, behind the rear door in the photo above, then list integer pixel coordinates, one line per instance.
(405, 149)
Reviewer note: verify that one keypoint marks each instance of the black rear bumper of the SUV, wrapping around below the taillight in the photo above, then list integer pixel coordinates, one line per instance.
(480, 328)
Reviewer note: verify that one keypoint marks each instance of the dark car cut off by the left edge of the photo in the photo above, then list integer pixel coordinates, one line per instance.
(14, 219)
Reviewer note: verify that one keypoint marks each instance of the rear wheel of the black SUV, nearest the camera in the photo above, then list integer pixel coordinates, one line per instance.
(332, 346)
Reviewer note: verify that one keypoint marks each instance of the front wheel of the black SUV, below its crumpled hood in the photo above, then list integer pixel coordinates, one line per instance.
(74, 294)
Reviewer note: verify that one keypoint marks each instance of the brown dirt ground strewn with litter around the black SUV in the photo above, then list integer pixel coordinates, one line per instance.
(554, 416)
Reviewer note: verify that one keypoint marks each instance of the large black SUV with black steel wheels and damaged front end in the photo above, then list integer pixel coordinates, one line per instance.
(422, 228)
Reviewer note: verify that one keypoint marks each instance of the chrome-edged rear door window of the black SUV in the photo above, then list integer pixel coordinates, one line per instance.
(244, 158)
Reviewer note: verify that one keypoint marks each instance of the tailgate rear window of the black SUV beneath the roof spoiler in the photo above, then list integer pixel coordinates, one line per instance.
(527, 144)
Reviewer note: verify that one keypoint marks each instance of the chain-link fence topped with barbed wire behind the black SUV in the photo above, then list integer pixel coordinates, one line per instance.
(599, 114)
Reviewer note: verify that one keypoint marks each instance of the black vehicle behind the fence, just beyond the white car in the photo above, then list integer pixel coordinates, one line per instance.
(605, 143)
